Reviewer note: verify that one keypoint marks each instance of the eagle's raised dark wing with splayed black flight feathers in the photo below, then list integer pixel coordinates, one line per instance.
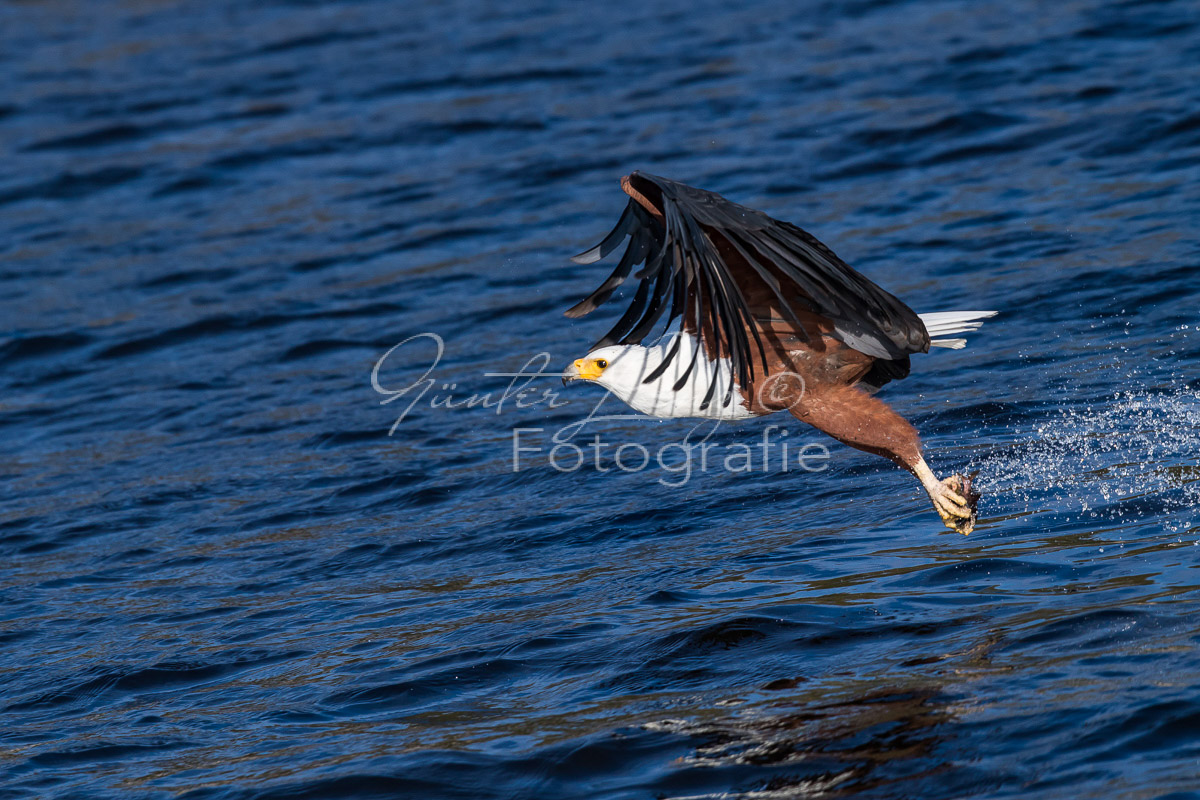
(680, 244)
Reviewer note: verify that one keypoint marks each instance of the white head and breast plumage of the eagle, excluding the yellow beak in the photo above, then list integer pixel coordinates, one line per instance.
(631, 365)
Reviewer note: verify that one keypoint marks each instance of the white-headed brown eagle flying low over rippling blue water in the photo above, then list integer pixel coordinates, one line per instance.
(761, 317)
